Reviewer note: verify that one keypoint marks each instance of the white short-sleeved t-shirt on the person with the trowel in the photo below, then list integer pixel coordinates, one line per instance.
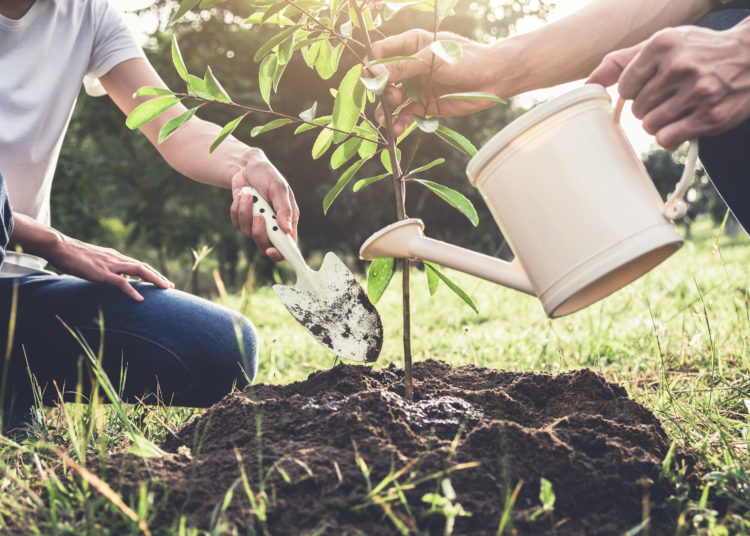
(45, 56)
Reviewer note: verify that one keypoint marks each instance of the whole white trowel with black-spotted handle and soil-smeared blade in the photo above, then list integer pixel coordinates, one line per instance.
(330, 304)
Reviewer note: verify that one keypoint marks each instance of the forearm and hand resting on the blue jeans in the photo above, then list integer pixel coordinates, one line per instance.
(94, 263)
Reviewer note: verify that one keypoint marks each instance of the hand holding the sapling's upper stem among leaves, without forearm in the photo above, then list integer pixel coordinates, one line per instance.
(473, 72)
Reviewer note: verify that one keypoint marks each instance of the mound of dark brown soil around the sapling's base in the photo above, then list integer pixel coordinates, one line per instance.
(344, 453)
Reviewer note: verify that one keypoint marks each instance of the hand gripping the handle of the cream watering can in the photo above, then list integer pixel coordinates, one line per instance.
(684, 82)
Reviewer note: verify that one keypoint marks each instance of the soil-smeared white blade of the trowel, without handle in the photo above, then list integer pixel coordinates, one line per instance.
(341, 316)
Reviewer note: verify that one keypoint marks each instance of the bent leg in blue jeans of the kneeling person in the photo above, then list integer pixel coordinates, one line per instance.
(188, 350)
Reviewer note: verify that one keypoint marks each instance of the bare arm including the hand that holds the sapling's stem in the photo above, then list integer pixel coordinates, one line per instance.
(562, 51)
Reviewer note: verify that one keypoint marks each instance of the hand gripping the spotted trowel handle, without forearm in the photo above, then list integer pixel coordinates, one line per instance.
(259, 173)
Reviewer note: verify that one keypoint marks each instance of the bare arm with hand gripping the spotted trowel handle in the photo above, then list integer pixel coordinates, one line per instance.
(232, 165)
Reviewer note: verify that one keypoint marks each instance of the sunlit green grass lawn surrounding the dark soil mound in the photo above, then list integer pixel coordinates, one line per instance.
(677, 339)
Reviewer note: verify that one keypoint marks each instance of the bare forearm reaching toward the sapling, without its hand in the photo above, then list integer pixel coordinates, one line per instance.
(569, 49)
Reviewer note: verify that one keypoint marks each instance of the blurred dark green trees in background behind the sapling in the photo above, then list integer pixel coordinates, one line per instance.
(113, 189)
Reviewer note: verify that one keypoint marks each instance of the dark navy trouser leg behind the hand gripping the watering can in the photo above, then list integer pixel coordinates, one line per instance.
(726, 157)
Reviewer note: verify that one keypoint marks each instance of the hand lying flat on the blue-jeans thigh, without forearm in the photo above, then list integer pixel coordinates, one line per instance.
(103, 265)
